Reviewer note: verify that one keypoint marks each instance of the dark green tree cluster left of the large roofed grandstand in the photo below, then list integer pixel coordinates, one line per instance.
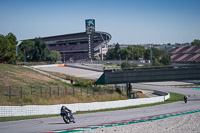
(29, 50)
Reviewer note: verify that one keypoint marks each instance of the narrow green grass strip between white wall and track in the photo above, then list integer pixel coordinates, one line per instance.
(174, 97)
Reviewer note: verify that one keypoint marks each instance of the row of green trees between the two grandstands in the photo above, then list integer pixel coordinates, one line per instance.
(159, 57)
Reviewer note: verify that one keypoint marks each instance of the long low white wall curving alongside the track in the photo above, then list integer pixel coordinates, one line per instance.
(28, 110)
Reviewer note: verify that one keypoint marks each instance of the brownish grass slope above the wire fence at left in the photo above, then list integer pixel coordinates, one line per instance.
(17, 76)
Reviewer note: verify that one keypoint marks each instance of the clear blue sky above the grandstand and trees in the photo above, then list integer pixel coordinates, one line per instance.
(128, 21)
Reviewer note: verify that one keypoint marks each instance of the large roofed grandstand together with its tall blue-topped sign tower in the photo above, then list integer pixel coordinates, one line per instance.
(80, 46)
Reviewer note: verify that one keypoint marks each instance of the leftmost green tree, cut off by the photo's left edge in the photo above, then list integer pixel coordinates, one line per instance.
(8, 48)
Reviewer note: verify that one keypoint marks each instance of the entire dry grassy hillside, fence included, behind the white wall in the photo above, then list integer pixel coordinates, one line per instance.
(23, 86)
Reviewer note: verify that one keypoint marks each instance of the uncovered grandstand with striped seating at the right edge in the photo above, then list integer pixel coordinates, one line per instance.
(185, 55)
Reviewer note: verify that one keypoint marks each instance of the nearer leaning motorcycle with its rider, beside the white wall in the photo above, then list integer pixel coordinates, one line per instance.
(67, 115)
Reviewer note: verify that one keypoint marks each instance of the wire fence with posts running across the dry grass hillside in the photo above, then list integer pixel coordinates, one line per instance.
(20, 92)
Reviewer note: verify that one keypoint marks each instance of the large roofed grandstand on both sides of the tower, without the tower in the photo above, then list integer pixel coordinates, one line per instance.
(75, 46)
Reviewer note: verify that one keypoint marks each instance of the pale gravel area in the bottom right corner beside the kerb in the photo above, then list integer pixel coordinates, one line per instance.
(189, 123)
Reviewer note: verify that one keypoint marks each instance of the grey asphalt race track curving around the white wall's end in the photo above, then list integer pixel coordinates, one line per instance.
(85, 120)
